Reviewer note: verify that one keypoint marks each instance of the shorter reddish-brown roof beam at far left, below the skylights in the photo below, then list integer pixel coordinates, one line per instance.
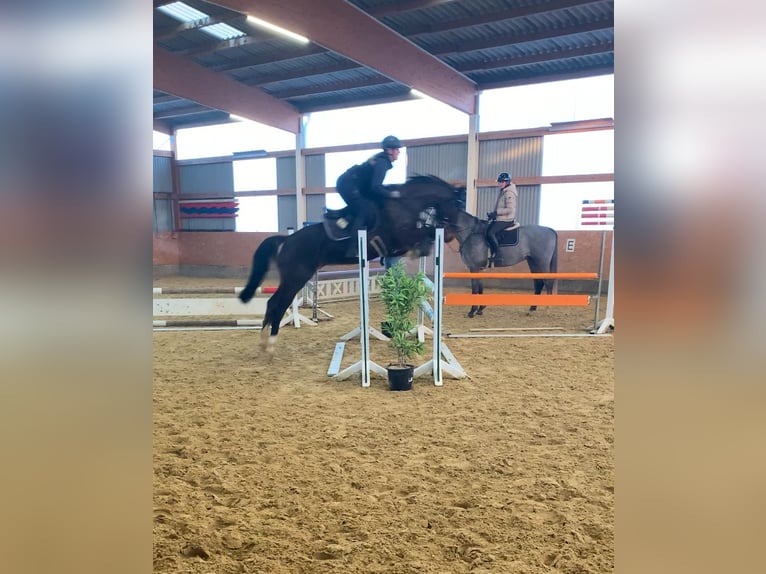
(187, 79)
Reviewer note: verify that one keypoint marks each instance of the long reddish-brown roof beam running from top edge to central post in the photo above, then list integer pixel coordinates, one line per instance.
(344, 28)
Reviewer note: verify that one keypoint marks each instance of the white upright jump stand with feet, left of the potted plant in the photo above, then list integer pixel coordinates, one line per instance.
(365, 365)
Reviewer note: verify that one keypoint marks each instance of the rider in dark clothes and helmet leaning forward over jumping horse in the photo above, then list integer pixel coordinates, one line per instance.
(361, 187)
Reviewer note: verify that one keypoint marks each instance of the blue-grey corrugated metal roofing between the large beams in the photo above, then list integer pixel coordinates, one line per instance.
(491, 42)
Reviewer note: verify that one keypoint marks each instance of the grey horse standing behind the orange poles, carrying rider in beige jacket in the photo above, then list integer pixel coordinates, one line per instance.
(537, 244)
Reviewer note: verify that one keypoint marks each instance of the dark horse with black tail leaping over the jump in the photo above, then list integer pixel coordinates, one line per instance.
(404, 225)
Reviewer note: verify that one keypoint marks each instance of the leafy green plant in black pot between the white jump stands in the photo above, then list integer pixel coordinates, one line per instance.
(402, 294)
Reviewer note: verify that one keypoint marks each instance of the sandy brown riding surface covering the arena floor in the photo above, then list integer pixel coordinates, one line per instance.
(276, 468)
